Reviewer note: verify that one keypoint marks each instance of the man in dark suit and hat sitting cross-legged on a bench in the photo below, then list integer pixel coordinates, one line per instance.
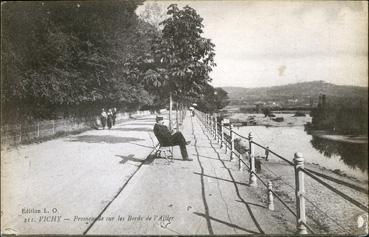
(166, 138)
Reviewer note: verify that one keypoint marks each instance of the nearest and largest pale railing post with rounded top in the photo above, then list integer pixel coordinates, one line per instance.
(300, 192)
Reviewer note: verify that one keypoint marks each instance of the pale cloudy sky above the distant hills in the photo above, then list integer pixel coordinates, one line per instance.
(268, 43)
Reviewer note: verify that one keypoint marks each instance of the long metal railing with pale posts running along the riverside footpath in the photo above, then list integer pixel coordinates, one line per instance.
(224, 134)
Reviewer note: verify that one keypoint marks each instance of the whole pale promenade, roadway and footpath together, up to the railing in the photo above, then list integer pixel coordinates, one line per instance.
(105, 183)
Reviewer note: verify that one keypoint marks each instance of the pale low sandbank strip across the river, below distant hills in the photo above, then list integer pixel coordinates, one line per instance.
(289, 120)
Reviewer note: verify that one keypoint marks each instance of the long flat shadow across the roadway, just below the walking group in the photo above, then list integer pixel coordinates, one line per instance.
(104, 139)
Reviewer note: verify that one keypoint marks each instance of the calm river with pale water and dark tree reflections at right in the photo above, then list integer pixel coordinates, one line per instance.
(352, 159)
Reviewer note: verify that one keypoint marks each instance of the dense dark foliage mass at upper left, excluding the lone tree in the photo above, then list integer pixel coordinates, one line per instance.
(66, 53)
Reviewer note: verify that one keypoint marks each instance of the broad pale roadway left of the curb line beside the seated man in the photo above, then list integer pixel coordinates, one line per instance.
(78, 175)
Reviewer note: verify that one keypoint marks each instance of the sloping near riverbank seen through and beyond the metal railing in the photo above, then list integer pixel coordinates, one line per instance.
(327, 212)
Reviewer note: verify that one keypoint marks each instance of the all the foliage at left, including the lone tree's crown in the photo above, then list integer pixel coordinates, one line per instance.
(67, 55)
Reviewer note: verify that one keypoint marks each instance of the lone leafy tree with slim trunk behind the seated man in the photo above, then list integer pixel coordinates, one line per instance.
(181, 59)
